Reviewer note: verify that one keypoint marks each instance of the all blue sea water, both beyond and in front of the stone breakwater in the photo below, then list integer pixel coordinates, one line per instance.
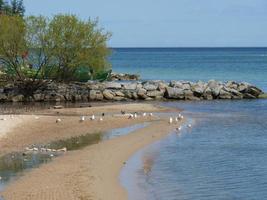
(224, 155)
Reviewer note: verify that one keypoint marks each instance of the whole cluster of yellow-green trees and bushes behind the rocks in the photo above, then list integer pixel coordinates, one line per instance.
(63, 48)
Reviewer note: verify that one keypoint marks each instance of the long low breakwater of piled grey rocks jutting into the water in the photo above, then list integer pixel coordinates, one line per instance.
(121, 91)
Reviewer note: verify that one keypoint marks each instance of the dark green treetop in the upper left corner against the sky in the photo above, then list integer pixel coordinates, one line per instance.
(14, 7)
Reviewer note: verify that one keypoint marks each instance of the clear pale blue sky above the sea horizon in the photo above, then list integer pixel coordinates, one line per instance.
(169, 23)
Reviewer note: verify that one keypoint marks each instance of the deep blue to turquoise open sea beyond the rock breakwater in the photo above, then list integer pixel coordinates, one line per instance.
(240, 64)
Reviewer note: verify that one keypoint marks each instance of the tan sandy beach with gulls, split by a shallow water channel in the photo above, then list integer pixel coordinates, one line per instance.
(90, 173)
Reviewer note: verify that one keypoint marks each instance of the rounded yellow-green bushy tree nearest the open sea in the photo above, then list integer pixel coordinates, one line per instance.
(78, 45)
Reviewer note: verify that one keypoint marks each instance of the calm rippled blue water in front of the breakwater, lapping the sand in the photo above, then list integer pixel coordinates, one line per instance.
(224, 155)
